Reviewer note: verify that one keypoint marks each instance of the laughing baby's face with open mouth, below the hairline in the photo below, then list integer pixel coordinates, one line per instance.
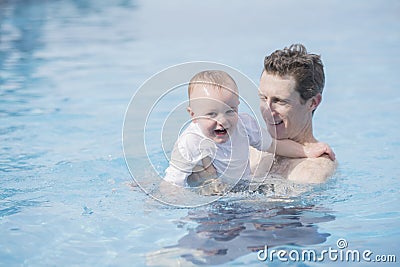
(215, 110)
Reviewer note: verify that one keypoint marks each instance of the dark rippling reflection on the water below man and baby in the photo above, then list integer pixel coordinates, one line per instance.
(226, 230)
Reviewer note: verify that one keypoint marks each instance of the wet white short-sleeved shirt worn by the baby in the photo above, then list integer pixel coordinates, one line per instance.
(230, 159)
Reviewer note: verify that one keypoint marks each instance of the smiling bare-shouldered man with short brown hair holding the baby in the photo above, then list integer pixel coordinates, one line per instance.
(290, 91)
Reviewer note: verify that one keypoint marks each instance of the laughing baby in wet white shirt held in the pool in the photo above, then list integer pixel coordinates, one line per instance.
(218, 137)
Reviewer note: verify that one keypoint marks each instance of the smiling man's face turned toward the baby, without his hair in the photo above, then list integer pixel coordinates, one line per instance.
(284, 114)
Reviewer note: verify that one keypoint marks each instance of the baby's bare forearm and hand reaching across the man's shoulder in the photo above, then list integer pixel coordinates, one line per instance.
(292, 149)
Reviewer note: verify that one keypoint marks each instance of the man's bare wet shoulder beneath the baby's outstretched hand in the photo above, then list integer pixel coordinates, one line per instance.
(311, 170)
